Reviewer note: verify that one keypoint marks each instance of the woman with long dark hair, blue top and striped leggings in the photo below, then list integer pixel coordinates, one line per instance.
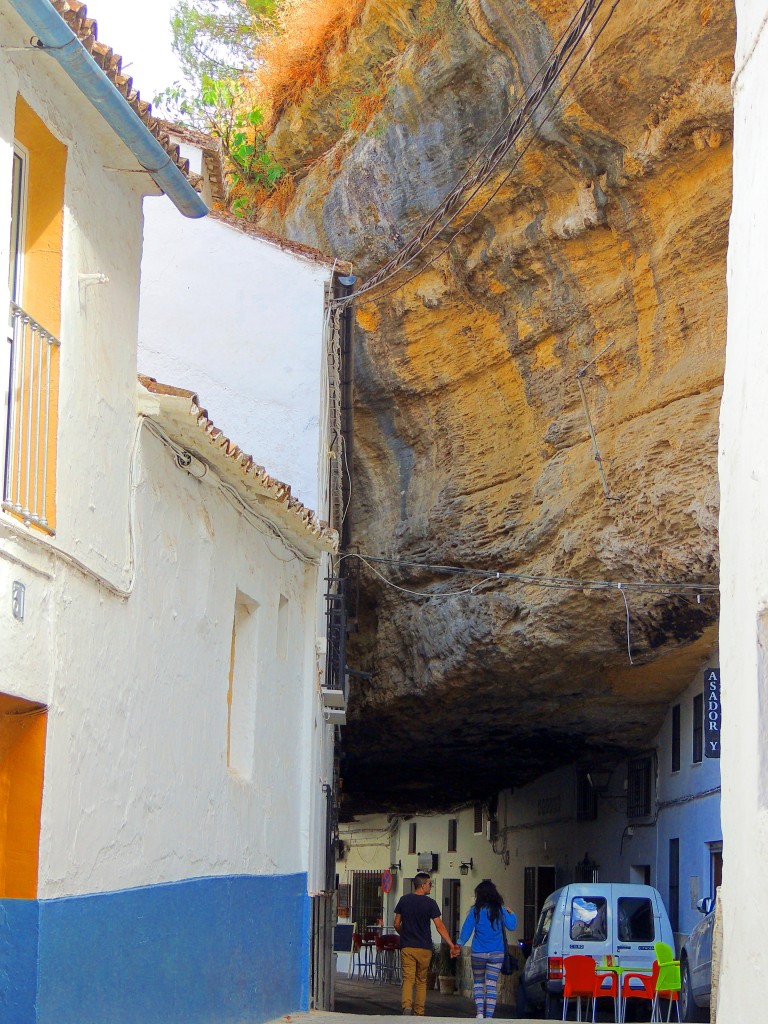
(488, 946)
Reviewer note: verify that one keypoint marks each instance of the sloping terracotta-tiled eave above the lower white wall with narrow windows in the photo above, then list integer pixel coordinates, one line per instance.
(189, 424)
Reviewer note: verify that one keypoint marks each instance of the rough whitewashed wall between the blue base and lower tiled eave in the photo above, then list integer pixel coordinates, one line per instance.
(138, 788)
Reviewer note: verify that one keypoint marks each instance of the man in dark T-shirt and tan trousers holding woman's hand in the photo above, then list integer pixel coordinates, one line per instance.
(413, 918)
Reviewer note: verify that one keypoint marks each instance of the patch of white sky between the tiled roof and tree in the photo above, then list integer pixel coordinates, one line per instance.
(140, 31)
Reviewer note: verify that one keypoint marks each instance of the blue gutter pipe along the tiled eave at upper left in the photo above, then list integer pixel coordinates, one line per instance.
(58, 39)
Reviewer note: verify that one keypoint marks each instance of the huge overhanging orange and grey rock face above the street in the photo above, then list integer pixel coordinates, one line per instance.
(606, 249)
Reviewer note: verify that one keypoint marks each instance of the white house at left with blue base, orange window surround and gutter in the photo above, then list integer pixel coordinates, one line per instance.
(165, 757)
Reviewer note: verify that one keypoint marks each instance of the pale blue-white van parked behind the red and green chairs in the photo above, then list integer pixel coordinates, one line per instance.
(613, 919)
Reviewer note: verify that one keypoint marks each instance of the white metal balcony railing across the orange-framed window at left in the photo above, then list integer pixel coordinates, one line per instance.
(30, 446)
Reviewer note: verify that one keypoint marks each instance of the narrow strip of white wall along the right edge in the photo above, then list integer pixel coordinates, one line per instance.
(744, 540)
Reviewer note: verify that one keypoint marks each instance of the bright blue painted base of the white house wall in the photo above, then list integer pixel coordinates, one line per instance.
(215, 951)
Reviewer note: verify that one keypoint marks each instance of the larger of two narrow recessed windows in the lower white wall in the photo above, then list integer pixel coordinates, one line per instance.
(241, 696)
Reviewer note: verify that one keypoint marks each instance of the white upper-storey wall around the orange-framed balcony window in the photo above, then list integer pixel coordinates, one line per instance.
(103, 234)
